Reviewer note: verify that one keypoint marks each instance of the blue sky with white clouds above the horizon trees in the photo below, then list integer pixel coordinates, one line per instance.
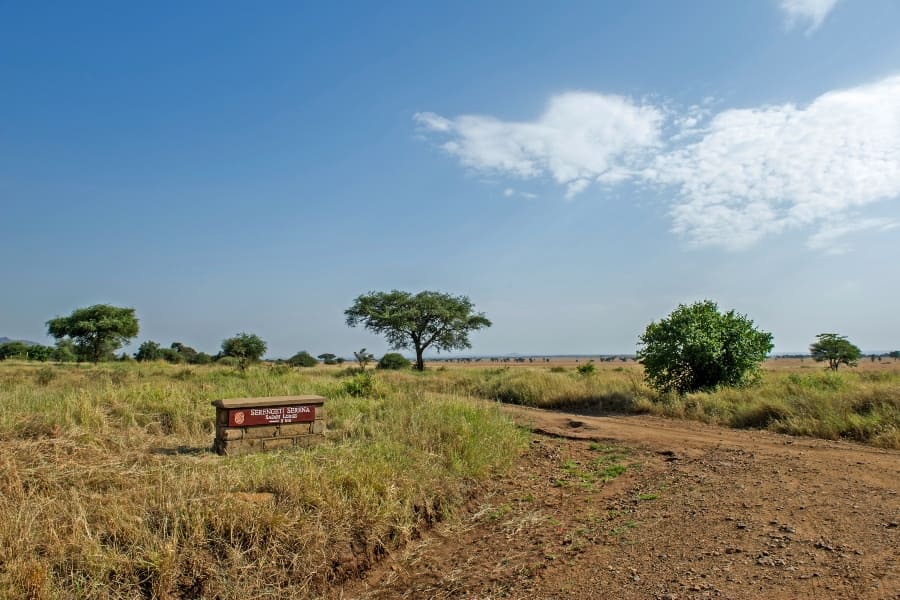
(577, 169)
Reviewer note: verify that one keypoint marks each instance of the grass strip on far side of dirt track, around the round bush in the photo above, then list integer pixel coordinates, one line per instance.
(861, 405)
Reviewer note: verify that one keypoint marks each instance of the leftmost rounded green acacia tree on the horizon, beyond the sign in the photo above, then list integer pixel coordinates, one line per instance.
(97, 331)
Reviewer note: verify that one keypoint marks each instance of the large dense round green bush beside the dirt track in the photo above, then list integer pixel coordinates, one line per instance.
(697, 347)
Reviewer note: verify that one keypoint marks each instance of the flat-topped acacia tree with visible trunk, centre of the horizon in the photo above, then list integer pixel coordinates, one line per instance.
(418, 321)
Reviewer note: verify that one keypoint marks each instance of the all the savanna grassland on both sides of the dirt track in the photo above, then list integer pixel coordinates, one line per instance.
(108, 488)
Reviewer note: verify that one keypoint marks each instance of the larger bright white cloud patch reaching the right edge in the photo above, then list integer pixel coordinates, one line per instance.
(760, 171)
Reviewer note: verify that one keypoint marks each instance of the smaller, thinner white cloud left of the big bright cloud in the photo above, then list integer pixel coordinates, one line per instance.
(580, 137)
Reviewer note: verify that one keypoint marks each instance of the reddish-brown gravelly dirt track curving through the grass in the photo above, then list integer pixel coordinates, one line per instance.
(698, 512)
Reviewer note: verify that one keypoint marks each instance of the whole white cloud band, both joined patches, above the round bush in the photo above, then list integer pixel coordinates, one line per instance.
(735, 176)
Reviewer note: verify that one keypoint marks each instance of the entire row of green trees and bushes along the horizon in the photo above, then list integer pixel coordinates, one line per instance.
(696, 347)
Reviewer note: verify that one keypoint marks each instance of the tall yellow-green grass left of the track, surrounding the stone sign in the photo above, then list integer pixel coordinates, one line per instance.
(108, 490)
